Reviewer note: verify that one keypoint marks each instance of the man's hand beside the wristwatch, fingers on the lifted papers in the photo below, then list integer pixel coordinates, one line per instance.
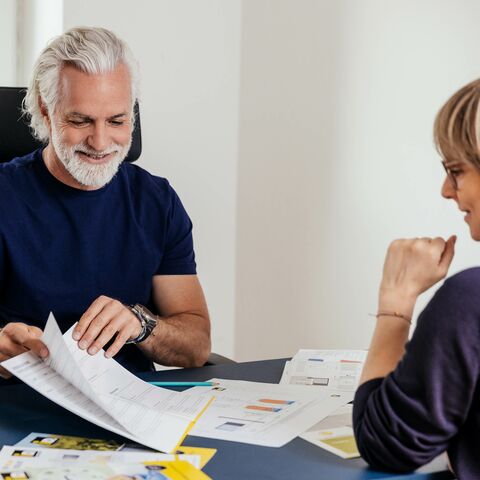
(104, 319)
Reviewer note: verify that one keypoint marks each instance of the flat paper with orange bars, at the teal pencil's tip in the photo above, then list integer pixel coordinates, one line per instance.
(264, 413)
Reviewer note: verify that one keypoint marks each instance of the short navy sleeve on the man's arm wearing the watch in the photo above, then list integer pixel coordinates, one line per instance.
(179, 256)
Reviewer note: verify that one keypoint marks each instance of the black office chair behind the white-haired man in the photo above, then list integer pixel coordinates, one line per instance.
(16, 140)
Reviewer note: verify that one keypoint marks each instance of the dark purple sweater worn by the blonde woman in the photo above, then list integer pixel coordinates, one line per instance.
(431, 402)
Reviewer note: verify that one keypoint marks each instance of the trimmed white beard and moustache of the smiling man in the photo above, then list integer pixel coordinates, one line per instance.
(85, 173)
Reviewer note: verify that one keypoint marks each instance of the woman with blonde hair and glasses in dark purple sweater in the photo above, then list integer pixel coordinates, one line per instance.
(421, 398)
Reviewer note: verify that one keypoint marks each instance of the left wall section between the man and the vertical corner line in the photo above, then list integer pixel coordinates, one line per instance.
(189, 57)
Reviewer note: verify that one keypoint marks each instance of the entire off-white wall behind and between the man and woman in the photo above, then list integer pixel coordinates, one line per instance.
(298, 134)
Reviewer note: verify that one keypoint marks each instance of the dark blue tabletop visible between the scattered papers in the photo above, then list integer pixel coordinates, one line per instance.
(22, 410)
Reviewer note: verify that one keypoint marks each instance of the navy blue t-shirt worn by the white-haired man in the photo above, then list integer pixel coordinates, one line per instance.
(61, 247)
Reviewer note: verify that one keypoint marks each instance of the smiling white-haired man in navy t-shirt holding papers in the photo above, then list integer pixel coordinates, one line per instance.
(86, 236)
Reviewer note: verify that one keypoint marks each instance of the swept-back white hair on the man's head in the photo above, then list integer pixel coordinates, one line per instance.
(92, 50)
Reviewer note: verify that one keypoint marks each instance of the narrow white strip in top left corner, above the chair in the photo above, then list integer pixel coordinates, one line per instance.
(8, 41)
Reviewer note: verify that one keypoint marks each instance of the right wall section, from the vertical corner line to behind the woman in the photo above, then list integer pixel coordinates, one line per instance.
(336, 159)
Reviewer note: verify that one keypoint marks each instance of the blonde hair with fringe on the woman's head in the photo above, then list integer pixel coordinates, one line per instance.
(457, 126)
